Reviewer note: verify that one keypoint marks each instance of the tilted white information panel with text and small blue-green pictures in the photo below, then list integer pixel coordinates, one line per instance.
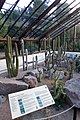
(27, 101)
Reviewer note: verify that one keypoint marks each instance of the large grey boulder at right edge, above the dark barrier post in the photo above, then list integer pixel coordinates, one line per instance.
(72, 88)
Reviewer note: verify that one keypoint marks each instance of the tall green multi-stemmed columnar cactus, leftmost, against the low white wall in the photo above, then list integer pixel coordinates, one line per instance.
(11, 66)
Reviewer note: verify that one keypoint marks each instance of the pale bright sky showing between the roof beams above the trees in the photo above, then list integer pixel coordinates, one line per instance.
(23, 3)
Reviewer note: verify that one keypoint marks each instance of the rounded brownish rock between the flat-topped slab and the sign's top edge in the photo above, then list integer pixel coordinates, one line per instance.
(30, 80)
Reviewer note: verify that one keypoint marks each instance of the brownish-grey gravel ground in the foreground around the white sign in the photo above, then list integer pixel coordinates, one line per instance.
(5, 113)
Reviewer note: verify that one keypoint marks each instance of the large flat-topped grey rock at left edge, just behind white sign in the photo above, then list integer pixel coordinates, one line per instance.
(8, 86)
